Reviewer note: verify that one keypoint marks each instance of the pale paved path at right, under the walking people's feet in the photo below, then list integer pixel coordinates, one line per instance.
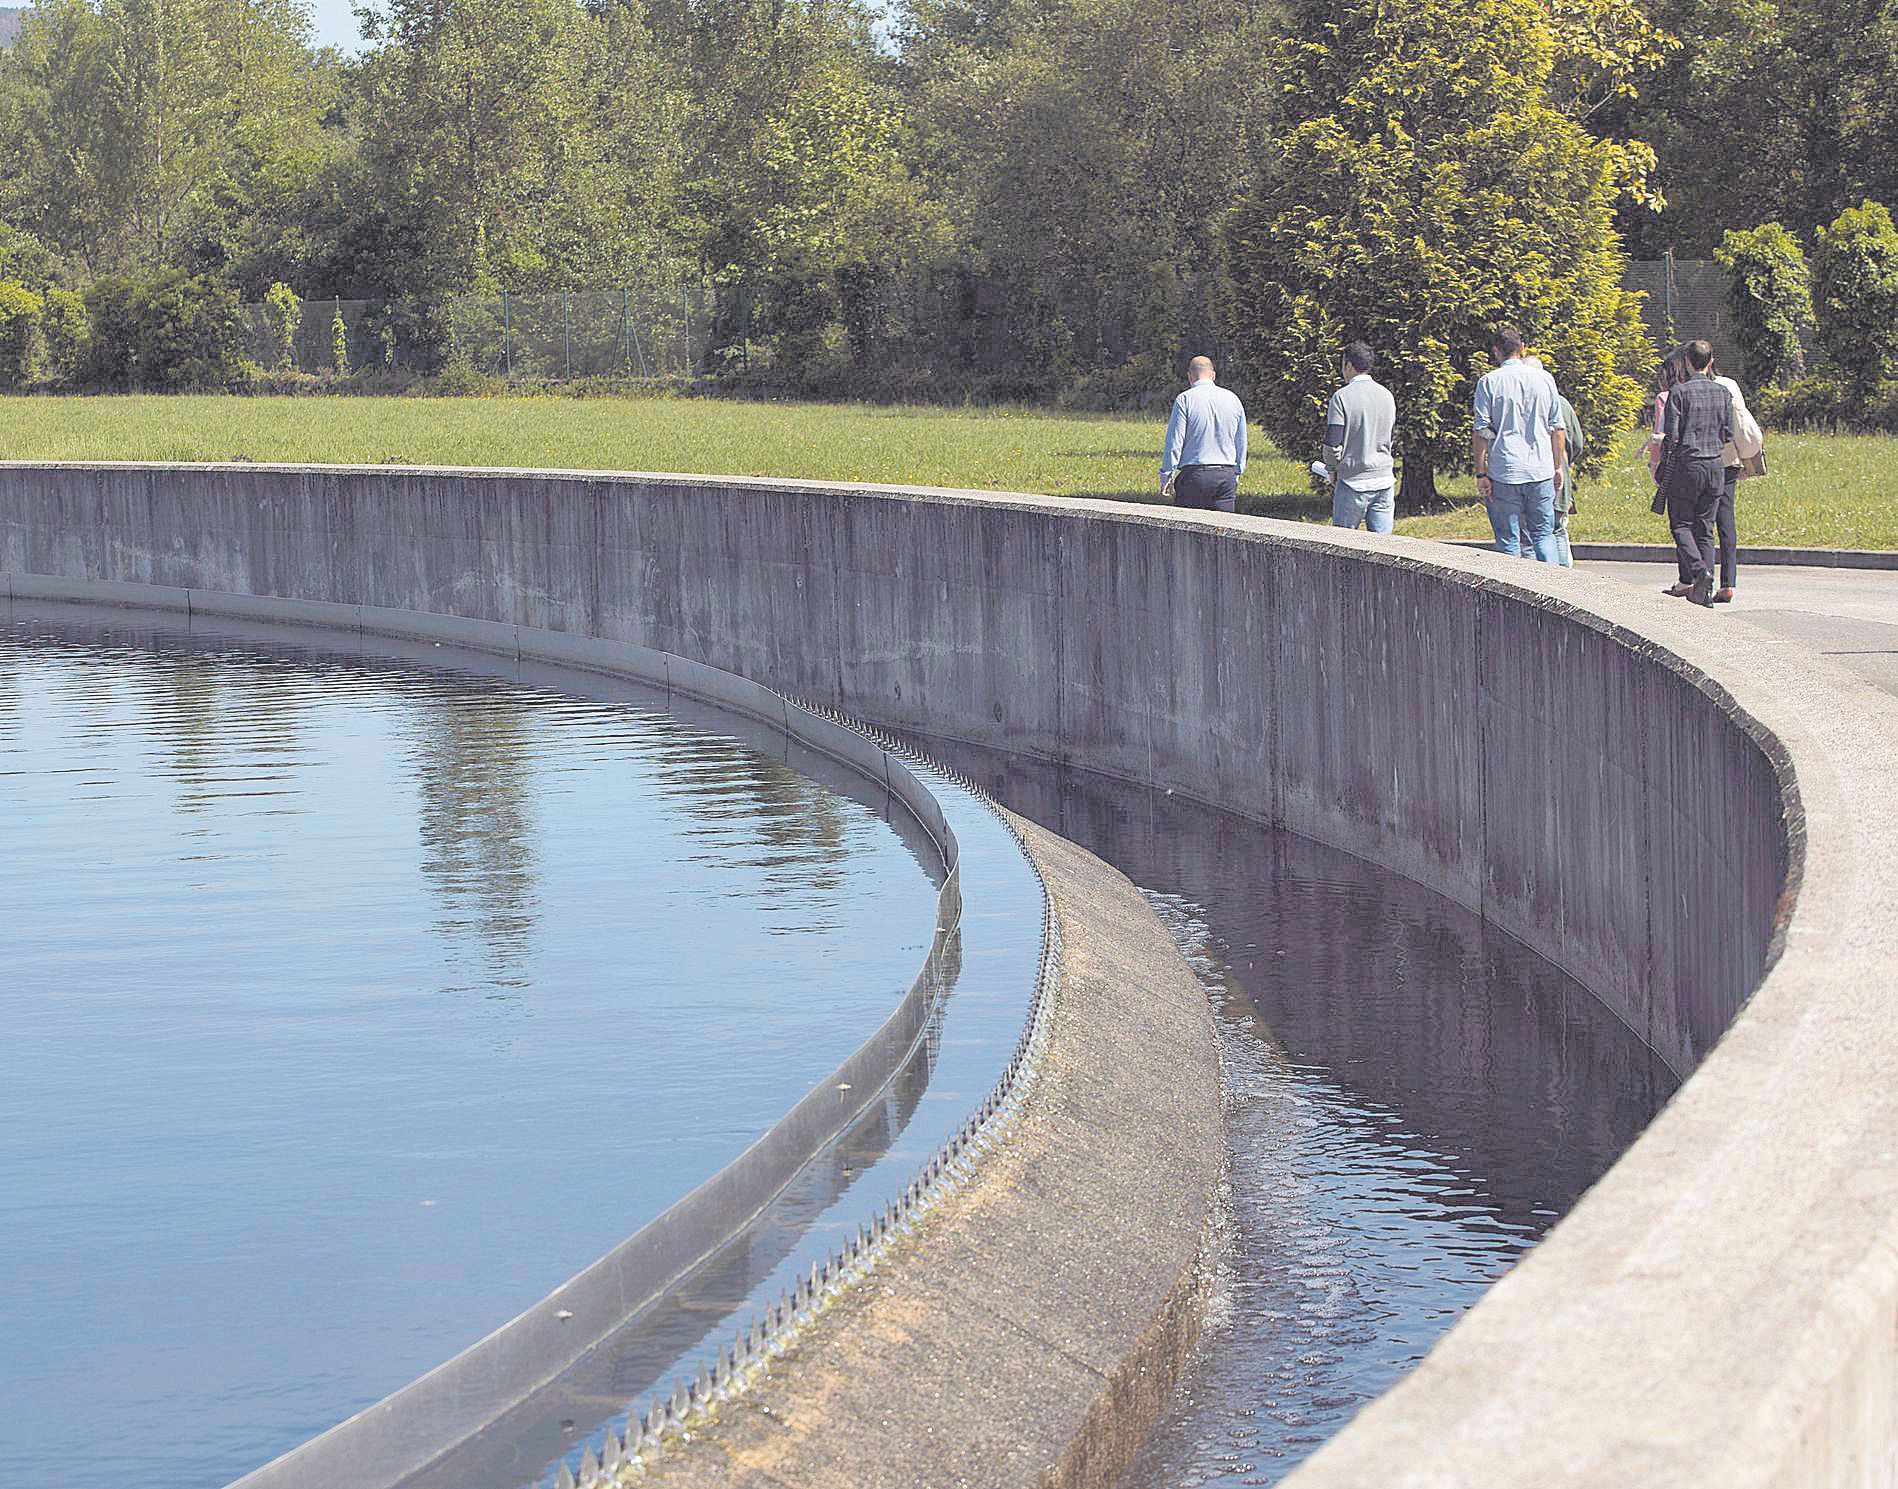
(1850, 616)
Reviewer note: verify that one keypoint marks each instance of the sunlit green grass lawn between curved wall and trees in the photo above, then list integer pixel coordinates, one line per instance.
(1825, 492)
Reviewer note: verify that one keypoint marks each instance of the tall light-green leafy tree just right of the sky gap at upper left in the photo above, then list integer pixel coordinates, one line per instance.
(521, 145)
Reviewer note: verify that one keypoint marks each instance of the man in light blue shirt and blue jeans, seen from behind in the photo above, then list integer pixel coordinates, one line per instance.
(1519, 447)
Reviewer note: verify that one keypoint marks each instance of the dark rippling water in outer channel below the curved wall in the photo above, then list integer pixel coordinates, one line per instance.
(1413, 1099)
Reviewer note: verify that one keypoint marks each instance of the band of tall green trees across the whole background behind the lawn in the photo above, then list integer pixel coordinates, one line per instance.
(1014, 198)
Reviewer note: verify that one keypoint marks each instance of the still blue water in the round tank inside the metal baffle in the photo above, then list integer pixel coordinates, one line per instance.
(354, 1002)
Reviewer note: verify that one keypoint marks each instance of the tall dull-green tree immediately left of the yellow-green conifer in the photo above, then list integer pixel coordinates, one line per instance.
(1079, 149)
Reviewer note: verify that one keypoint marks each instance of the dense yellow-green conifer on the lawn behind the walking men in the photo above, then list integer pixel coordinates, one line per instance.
(1423, 191)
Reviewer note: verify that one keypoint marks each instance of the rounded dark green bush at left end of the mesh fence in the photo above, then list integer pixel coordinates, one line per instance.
(168, 335)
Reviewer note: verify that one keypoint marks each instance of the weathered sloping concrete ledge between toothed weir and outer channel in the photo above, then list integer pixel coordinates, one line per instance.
(1037, 1325)
